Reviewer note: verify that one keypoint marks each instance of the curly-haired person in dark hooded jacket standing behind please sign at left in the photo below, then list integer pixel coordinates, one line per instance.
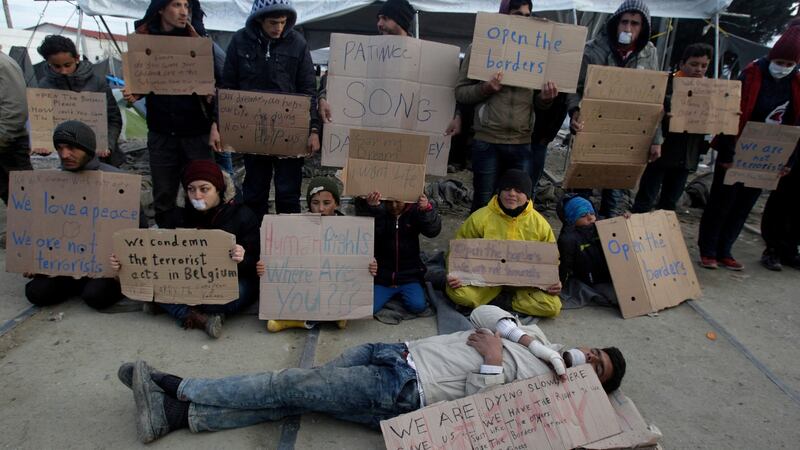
(65, 71)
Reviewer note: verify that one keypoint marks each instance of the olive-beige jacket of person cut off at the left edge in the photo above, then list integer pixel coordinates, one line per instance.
(13, 103)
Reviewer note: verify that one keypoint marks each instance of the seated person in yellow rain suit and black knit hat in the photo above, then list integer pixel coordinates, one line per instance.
(508, 216)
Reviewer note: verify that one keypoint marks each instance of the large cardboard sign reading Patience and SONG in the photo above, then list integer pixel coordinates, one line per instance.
(390, 83)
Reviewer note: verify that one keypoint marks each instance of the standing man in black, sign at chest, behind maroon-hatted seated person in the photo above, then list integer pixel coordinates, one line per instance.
(178, 125)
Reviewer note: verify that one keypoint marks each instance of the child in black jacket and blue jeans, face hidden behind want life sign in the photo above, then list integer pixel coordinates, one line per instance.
(400, 270)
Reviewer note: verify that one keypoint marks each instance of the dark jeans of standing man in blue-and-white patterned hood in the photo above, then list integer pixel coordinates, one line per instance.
(258, 176)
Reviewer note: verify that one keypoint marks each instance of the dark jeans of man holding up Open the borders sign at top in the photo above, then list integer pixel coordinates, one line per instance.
(489, 161)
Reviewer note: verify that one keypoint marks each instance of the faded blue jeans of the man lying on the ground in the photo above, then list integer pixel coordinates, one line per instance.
(365, 384)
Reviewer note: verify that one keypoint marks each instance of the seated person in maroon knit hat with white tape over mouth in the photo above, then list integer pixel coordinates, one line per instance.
(210, 206)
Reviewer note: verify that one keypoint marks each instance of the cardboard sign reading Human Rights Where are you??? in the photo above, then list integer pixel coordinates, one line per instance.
(317, 267)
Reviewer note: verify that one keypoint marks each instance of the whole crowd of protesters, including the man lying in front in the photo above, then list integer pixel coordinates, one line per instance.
(193, 188)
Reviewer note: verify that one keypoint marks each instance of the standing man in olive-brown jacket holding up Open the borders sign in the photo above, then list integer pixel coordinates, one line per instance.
(503, 122)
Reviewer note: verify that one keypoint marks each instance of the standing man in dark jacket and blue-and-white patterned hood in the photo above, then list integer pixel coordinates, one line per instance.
(269, 55)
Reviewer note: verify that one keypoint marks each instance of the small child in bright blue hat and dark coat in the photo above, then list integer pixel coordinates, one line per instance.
(583, 268)
